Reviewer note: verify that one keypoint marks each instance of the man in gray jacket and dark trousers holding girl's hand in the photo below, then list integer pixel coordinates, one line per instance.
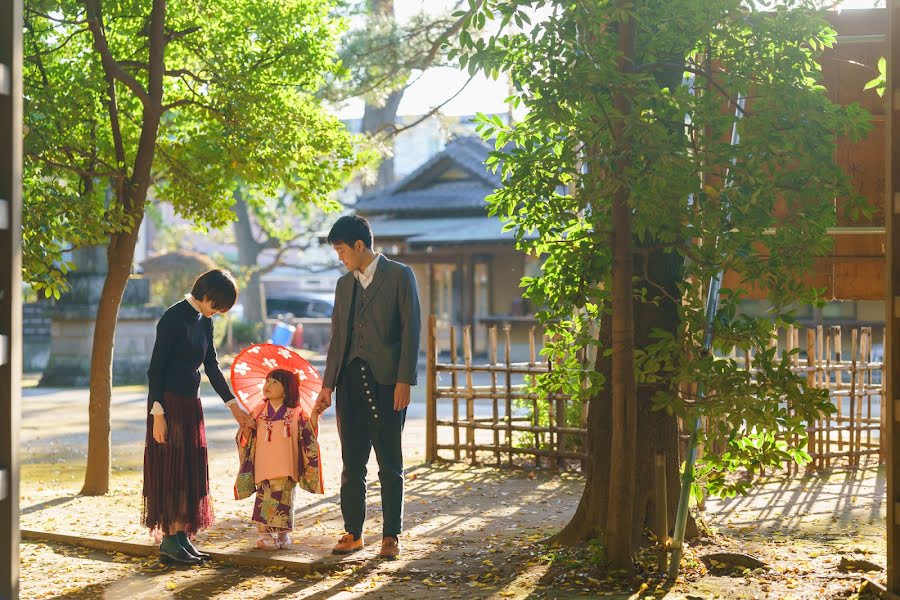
(371, 361)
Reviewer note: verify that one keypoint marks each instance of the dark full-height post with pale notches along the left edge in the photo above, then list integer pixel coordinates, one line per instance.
(10, 289)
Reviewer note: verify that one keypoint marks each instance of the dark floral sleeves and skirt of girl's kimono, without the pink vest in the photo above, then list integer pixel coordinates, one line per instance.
(274, 505)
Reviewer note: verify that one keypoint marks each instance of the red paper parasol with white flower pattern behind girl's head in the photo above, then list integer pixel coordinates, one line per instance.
(252, 366)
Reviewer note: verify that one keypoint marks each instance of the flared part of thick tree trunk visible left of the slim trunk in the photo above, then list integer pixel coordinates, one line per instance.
(589, 521)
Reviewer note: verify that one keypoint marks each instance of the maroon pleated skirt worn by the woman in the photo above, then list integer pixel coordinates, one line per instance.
(176, 474)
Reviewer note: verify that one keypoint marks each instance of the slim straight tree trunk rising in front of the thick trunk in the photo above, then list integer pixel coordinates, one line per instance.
(624, 402)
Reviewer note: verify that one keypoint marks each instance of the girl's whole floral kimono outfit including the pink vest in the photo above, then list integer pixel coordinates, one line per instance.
(282, 452)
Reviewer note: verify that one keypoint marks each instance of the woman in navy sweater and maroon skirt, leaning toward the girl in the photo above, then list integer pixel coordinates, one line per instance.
(176, 474)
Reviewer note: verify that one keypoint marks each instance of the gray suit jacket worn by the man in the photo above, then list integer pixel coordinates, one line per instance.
(391, 321)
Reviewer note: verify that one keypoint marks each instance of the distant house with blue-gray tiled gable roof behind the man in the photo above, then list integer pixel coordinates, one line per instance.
(435, 219)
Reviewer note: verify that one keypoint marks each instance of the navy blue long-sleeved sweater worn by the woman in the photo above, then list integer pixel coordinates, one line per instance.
(183, 342)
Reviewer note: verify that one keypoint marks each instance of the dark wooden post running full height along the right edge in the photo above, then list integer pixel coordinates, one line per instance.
(892, 325)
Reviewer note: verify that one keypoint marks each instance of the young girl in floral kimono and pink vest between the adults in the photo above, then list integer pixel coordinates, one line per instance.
(280, 452)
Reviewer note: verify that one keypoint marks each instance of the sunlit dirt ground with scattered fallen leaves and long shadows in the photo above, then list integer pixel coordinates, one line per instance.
(471, 532)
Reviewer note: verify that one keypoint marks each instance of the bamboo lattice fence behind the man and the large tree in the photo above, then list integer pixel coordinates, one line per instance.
(484, 409)
